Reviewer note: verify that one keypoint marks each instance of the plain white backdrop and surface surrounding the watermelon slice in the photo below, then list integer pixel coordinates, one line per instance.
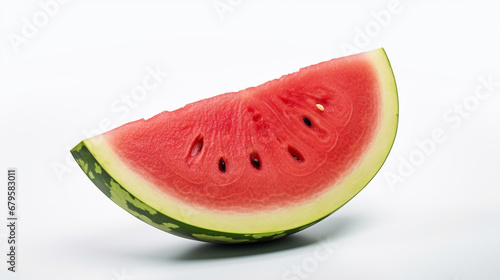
(432, 212)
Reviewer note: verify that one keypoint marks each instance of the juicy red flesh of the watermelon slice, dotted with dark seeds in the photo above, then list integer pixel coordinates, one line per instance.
(181, 151)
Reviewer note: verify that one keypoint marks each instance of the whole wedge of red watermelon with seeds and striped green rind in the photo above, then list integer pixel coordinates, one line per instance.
(257, 164)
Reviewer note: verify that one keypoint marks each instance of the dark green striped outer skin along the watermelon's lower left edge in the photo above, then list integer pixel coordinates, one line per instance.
(114, 191)
